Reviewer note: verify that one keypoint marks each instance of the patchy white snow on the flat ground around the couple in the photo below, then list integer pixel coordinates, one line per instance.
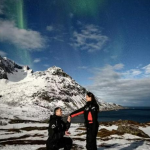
(113, 142)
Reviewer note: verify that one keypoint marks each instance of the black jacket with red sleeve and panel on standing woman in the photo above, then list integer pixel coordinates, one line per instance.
(90, 111)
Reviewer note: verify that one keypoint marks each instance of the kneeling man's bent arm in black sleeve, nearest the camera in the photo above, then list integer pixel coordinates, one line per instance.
(53, 131)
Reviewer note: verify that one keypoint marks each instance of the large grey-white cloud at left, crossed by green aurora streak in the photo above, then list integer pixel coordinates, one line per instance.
(27, 39)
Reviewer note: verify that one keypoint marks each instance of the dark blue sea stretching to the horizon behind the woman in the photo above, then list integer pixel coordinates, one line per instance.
(139, 114)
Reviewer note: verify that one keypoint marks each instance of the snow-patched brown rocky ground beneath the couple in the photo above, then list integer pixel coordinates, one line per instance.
(117, 135)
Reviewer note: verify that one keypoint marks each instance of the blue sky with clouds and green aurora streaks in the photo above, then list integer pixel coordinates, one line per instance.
(102, 44)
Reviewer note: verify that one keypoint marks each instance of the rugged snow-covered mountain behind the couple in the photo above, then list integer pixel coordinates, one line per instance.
(32, 95)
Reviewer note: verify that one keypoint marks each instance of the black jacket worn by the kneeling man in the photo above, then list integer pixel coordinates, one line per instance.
(57, 128)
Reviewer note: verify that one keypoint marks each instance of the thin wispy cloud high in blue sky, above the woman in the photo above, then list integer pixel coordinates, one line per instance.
(89, 38)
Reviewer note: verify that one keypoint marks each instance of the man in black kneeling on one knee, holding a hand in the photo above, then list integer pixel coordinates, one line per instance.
(57, 129)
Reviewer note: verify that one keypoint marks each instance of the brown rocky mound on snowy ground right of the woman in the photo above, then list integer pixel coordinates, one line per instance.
(132, 130)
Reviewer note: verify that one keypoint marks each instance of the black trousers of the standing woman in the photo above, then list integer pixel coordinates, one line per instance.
(91, 138)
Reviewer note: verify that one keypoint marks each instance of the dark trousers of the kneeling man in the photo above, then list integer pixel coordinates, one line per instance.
(64, 142)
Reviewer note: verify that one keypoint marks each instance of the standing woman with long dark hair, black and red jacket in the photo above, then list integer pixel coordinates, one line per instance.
(90, 111)
